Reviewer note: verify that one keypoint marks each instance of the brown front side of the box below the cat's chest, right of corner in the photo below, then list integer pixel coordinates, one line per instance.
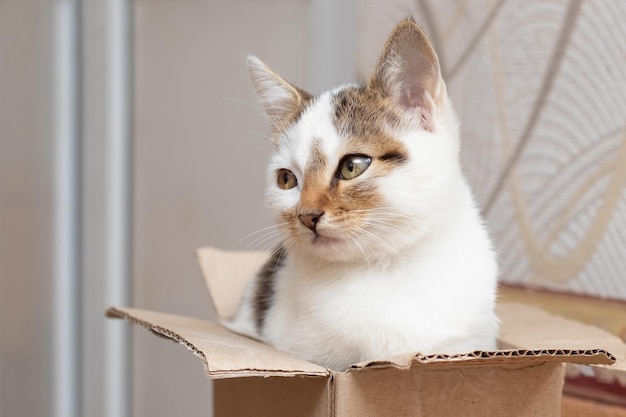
(474, 391)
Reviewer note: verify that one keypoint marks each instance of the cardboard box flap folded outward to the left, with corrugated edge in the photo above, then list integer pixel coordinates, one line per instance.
(225, 354)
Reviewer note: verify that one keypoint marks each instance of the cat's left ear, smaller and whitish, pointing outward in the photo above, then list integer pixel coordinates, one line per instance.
(281, 100)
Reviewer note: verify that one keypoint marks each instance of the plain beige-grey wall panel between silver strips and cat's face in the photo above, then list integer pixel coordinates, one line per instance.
(200, 158)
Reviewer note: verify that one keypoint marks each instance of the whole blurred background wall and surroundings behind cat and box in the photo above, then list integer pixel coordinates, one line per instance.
(129, 136)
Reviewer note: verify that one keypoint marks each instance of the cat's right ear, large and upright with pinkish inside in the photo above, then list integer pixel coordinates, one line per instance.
(408, 72)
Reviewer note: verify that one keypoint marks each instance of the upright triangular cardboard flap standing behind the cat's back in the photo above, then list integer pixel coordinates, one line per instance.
(226, 274)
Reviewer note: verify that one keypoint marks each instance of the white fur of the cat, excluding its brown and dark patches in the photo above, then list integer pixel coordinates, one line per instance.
(420, 277)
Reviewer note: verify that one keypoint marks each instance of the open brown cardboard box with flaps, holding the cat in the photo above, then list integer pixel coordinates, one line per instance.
(254, 379)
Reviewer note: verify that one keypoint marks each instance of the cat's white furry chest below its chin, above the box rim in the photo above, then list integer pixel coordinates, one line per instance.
(372, 312)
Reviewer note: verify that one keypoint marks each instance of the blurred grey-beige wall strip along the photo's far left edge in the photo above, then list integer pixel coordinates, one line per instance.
(26, 217)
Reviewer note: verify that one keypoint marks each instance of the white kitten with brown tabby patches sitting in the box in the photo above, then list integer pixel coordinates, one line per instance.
(383, 248)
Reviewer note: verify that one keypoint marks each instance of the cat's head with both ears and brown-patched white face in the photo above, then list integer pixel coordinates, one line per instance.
(362, 171)
